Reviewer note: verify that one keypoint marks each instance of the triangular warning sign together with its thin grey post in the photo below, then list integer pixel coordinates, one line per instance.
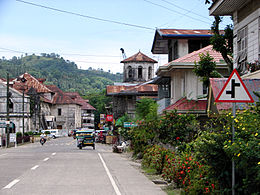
(234, 91)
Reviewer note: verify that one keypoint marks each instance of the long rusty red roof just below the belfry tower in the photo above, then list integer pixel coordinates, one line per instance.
(137, 89)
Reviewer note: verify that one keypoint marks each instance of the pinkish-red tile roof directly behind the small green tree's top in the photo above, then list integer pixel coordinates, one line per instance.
(194, 56)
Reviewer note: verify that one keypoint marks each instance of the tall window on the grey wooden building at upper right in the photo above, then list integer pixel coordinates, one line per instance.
(242, 50)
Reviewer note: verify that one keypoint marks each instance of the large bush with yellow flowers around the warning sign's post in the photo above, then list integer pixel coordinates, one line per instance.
(215, 149)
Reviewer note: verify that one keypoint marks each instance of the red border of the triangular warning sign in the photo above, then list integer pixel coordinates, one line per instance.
(242, 101)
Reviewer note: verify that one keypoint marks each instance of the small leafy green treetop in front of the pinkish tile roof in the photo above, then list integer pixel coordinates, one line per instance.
(206, 68)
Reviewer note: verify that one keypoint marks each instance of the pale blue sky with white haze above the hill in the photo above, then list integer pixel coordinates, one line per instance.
(91, 32)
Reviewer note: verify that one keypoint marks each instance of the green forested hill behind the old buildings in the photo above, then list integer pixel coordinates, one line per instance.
(60, 72)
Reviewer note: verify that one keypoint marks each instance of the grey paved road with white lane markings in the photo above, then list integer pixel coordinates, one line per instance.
(59, 167)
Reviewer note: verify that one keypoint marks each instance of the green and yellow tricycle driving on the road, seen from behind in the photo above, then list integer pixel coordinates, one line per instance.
(85, 138)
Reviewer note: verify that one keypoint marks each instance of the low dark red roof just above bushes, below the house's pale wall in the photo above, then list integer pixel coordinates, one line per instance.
(184, 105)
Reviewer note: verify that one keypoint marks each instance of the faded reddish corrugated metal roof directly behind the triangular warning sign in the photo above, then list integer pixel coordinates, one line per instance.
(217, 84)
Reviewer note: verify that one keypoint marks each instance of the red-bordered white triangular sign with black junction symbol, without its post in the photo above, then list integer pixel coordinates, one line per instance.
(234, 90)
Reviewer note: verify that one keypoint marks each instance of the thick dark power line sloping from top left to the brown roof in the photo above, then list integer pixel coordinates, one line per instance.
(86, 16)
